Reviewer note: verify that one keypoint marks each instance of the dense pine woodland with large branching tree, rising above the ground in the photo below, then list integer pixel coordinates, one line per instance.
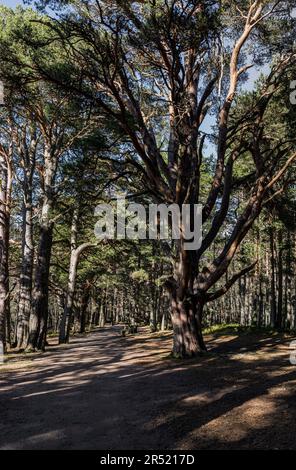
(154, 99)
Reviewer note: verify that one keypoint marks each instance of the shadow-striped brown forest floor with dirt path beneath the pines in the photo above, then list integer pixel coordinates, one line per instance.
(104, 391)
